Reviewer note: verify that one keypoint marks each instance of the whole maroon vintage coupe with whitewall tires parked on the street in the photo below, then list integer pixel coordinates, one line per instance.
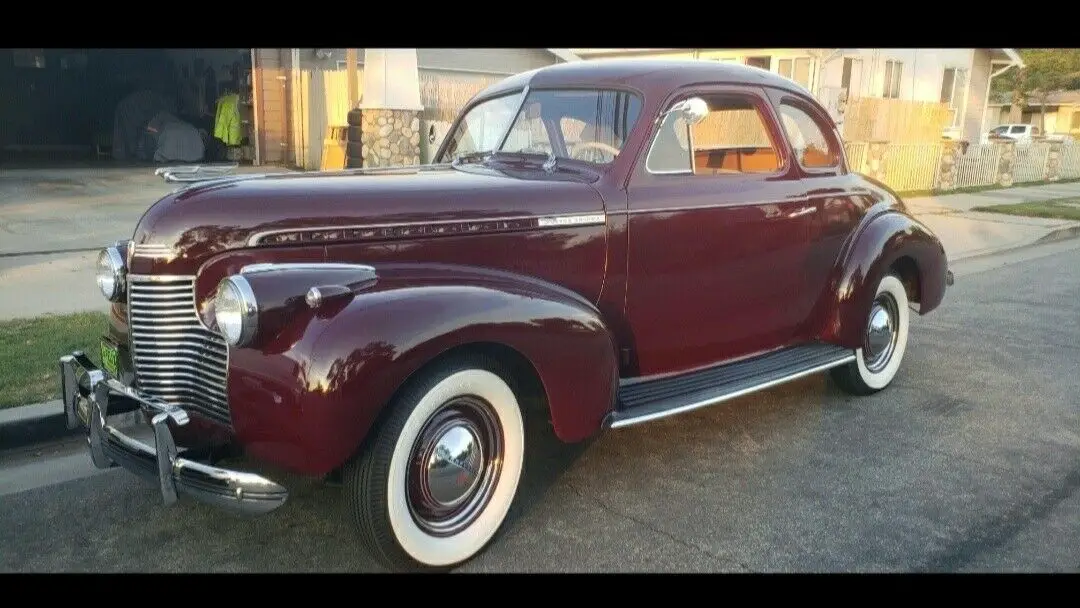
(618, 241)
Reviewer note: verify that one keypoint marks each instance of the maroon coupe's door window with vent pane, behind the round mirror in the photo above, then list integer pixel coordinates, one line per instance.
(733, 139)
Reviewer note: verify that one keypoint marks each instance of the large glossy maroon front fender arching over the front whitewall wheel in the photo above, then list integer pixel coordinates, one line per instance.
(354, 355)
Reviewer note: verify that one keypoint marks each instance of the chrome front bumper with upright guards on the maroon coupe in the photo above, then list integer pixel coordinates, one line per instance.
(91, 396)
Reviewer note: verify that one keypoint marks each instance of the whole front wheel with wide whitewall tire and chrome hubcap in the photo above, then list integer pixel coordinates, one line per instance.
(435, 485)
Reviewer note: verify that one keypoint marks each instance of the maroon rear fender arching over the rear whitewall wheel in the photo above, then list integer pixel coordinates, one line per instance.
(883, 239)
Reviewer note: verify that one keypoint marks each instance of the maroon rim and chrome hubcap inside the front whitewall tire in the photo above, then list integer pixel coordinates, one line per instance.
(455, 467)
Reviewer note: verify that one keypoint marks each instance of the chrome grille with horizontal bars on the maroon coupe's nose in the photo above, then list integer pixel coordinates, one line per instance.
(177, 359)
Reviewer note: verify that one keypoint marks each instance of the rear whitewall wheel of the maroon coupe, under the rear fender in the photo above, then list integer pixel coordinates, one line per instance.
(885, 341)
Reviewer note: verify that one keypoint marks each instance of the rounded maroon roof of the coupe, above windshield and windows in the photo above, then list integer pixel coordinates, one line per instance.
(650, 76)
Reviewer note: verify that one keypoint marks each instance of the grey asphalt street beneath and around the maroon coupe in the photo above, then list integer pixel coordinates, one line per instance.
(969, 463)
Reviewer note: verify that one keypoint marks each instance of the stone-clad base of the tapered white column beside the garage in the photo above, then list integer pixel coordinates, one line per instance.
(390, 138)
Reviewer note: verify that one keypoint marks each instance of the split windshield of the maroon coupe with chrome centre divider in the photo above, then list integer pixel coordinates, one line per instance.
(589, 126)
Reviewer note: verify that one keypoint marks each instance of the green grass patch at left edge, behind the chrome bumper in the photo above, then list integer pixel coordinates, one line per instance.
(31, 350)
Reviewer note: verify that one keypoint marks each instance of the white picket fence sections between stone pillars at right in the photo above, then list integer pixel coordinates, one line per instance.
(917, 167)
